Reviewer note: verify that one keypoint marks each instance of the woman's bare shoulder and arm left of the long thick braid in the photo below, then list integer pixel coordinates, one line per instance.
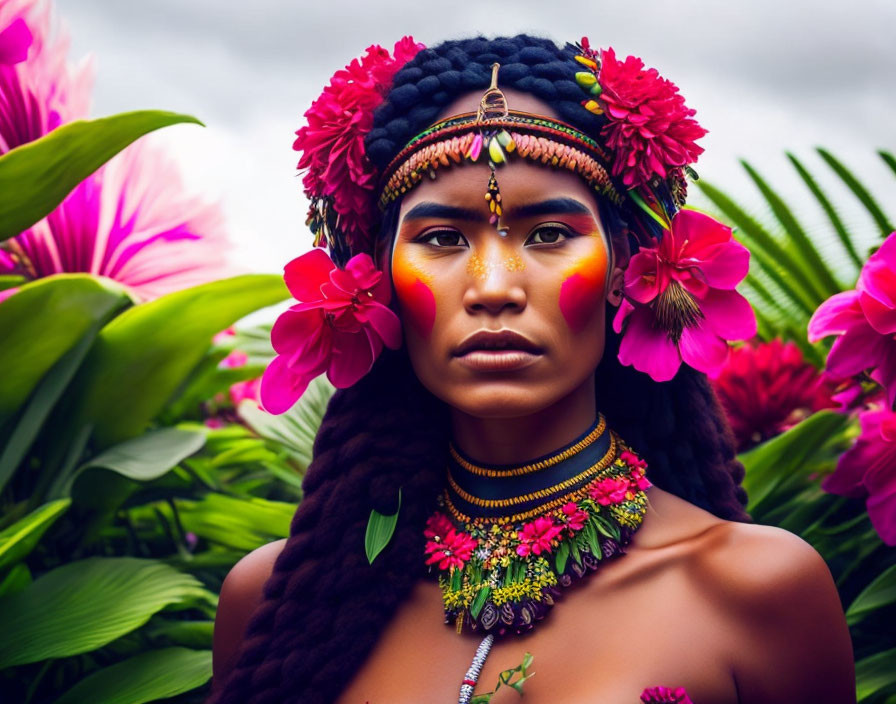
(241, 593)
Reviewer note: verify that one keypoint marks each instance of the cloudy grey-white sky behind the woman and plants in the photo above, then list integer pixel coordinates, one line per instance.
(764, 75)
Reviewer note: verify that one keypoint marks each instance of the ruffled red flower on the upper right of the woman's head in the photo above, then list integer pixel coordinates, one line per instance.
(651, 130)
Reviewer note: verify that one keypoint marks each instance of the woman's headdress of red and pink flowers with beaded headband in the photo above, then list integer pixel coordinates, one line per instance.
(679, 298)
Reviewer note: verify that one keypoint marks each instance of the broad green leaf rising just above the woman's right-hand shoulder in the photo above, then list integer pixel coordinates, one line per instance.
(790, 457)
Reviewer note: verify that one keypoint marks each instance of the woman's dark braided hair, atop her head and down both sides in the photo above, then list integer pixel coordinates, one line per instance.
(324, 606)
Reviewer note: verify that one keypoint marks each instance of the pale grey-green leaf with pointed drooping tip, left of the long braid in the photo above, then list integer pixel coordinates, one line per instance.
(143, 458)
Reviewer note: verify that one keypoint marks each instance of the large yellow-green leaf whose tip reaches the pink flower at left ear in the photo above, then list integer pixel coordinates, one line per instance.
(142, 357)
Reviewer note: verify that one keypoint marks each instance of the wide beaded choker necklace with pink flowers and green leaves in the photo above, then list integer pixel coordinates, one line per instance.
(505, 539)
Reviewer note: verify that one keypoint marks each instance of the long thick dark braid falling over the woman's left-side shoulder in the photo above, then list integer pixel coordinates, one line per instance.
(324, 605)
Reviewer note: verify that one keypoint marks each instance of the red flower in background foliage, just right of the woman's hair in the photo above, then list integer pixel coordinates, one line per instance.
(766, 388)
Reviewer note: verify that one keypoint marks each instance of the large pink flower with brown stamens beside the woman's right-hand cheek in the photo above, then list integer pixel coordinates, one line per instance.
(680, 303)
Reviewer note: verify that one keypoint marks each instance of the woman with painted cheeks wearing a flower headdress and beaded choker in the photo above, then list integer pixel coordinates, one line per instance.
(549, 290)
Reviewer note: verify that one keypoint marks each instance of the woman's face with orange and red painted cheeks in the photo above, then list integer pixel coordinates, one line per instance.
(501, 327)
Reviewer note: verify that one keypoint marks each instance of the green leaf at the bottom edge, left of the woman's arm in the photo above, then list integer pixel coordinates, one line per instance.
(157, 674)
